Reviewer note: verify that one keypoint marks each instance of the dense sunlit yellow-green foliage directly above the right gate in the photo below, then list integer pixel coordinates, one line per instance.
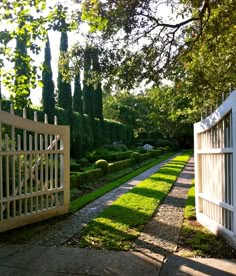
(207, 71)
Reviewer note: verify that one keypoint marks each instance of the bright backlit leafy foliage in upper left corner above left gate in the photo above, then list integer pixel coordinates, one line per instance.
(27, 23)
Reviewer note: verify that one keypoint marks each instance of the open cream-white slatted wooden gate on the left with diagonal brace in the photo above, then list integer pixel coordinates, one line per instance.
(34, 170)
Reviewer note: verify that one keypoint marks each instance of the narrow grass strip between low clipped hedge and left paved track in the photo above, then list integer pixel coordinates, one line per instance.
(82, 201)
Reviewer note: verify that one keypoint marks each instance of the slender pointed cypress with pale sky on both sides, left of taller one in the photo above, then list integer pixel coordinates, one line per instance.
(48, 85)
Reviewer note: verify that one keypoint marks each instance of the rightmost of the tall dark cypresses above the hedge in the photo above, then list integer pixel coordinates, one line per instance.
(98, 113)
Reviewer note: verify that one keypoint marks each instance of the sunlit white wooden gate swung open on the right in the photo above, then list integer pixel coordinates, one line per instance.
(215, 170)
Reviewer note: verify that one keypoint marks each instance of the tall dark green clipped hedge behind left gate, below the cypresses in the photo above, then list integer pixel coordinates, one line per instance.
(85, 134)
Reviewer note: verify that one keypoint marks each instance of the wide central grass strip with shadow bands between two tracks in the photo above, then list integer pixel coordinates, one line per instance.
(118, 225)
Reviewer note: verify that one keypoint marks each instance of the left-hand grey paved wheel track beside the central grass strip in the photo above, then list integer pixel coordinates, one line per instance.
(64, 230)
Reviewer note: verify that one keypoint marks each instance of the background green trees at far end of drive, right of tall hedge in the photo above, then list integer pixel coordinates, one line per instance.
(153, 116)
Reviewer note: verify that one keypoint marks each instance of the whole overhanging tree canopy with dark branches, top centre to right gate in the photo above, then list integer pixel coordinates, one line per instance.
(193, 46)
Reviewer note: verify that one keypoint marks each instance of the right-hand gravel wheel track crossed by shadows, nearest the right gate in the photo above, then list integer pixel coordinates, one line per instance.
(161, 234)
